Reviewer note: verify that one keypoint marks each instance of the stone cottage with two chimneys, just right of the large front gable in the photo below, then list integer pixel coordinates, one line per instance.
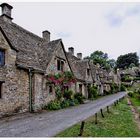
(82, 71)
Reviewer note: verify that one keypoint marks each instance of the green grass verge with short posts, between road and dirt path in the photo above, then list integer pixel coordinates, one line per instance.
(118, 123)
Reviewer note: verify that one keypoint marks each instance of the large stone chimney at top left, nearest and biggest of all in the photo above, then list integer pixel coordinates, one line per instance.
(6, 12)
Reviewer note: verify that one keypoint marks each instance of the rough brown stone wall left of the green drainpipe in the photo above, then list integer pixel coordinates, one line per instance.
(15, 89)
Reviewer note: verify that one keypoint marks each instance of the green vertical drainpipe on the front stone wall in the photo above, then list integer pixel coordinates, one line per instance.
(30, 91)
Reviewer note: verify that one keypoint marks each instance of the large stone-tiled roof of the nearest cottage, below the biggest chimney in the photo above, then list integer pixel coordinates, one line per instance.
(33, 51)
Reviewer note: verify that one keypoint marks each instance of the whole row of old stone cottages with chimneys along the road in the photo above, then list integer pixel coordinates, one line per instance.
(26, 59)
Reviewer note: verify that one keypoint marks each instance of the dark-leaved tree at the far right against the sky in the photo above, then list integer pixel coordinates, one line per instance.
(127, 60)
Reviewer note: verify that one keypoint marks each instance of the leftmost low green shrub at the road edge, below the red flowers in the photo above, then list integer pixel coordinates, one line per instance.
(54, 105)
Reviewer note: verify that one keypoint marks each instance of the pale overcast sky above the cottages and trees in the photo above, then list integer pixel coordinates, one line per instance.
(113, 28)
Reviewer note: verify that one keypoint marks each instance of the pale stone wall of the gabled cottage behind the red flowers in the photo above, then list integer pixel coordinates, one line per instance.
(41, 91)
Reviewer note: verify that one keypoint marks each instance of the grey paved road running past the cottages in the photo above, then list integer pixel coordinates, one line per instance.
(50, 123)
